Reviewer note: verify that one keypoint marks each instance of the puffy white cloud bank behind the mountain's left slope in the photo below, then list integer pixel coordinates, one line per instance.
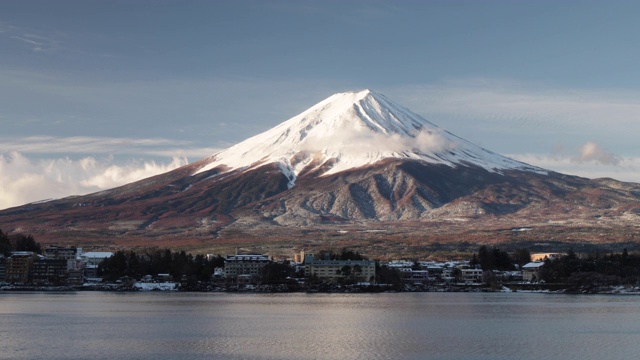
(24, 180)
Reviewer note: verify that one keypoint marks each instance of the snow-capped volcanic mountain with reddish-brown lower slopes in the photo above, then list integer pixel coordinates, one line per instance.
(354, 160)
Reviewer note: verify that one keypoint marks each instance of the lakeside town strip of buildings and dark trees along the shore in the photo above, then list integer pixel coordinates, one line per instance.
(26, 265)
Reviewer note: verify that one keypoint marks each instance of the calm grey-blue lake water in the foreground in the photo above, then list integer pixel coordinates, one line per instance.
(100, 325)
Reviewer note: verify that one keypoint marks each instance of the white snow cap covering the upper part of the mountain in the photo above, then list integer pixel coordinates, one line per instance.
(355, 129)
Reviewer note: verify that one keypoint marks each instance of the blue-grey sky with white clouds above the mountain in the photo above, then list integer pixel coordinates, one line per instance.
(96, 94)
